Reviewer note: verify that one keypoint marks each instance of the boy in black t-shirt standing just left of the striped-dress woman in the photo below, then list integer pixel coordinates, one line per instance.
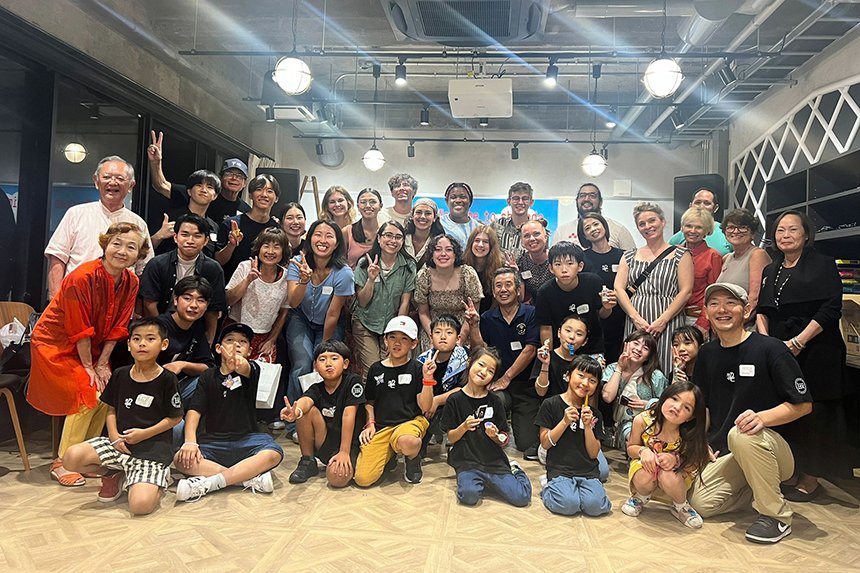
(572, 292)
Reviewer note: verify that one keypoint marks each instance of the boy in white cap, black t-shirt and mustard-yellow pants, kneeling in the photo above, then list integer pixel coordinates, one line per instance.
(398, 391)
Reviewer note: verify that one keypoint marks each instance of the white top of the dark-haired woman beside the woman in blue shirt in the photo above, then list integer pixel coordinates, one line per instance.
(262, 301)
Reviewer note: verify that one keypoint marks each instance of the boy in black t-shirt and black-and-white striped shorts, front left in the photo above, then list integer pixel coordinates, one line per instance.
(143, 405)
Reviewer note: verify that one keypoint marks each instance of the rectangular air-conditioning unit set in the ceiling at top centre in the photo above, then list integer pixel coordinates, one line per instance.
(467, 22)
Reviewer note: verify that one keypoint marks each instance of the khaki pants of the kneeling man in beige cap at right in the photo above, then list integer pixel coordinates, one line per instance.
(751, 473)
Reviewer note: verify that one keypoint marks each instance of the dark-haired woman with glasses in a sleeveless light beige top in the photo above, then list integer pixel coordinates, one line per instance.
(743, 266)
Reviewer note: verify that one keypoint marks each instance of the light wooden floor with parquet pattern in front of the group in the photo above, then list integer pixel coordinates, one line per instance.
(394, 527)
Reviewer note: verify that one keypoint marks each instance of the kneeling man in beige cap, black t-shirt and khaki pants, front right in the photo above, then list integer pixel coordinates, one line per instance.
(751, 385)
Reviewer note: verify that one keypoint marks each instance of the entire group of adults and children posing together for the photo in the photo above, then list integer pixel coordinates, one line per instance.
(400, 329)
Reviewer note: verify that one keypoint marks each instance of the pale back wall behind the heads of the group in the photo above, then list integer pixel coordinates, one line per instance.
(553, 170)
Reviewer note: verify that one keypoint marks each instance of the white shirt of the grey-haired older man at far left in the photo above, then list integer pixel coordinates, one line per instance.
(76, 239)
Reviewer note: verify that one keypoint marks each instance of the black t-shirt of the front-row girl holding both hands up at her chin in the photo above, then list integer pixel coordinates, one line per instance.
(569, 456)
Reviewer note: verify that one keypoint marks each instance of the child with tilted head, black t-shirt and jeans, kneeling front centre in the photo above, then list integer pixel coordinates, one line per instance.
(477, 429)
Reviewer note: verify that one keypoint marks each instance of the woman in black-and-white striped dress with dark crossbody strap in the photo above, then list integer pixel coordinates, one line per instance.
(658, 303)
